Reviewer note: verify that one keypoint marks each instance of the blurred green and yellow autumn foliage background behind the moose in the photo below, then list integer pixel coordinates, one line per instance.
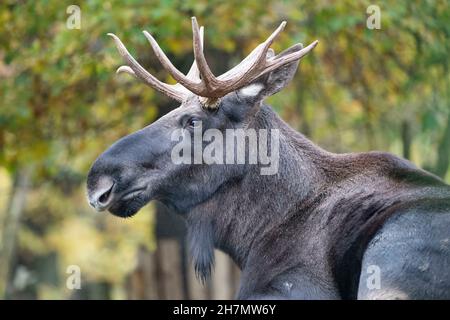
(61, 105)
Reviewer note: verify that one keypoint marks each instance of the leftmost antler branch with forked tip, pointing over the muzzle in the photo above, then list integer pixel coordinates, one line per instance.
(135, 69)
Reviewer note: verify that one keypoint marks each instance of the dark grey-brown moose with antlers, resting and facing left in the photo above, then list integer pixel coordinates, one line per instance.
(321, 227)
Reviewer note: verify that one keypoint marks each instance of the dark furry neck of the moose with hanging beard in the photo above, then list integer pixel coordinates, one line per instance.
(244, 208)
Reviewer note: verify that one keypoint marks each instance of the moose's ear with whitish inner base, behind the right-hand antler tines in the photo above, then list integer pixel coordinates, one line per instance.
(274, 81)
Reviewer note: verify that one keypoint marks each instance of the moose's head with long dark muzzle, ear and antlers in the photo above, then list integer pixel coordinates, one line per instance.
(139, 168)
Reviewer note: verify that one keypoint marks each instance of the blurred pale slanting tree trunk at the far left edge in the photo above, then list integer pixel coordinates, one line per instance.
(11, 225)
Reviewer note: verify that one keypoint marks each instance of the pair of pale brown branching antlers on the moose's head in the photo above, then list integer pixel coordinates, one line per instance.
(200, 80)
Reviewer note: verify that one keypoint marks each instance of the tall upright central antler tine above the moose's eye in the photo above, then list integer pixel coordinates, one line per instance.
(208, 79)
